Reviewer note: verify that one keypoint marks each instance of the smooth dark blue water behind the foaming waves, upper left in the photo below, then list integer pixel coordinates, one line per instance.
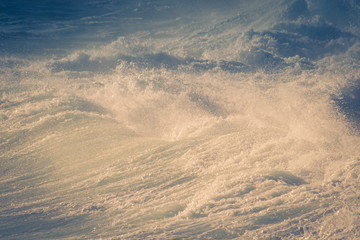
(46, 26)
